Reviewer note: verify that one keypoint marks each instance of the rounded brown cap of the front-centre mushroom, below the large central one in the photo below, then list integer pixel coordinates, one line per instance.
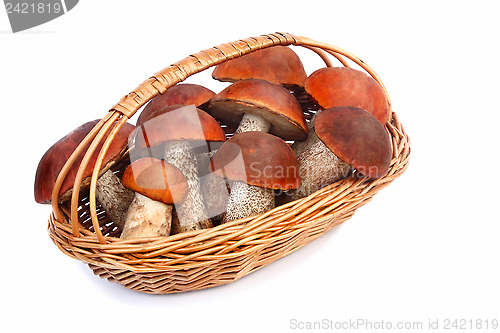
(259, 159)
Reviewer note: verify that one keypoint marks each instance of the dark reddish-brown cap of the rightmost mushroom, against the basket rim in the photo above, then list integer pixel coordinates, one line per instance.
(356, 137)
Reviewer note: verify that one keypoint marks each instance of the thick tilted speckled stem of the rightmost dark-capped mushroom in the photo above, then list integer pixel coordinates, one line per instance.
(318, 166)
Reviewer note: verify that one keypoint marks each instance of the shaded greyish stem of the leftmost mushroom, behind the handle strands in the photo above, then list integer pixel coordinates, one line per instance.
(114, 197)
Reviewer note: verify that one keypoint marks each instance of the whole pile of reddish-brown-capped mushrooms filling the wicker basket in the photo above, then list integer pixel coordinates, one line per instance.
(196, 158)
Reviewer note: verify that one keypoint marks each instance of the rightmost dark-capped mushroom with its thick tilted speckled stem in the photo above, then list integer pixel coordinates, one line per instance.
(342, 138)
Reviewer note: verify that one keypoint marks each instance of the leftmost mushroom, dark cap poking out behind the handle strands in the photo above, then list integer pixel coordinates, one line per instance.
(110, 193)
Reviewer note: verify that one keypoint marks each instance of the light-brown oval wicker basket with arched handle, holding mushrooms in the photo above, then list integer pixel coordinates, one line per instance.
(225, 253)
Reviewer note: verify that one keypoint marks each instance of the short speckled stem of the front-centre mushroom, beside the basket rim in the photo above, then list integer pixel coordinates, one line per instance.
(248, 200)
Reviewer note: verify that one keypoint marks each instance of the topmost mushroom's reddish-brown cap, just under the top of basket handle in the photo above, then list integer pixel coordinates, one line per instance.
(277, 64)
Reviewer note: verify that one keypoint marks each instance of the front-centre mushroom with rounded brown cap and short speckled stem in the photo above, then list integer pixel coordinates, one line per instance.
(256, 163)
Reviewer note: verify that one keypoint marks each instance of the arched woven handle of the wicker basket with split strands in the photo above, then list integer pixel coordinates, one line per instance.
(158, 84)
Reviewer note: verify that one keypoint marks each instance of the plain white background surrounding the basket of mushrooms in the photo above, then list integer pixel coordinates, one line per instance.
(426, 247)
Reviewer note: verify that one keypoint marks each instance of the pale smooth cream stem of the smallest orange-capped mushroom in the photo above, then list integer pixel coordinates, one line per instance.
(147, 218)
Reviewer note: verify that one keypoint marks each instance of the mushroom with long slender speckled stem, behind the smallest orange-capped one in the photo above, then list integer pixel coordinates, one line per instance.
(174, 132)
